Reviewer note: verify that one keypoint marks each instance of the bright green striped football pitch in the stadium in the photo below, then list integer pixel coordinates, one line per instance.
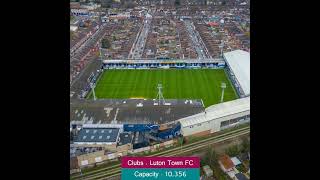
(202, 84)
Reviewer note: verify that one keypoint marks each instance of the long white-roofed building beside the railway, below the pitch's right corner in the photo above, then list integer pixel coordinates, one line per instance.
(217, 117)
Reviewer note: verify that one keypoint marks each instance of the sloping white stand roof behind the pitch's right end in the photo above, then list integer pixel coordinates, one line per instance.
(238, 67)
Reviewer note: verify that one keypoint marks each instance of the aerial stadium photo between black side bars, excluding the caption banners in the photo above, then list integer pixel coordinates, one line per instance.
(159, 78)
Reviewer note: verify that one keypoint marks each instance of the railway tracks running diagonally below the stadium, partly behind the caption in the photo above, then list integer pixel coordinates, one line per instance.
(115, 170)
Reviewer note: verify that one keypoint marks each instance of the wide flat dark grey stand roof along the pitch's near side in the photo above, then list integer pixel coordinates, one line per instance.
(108, 110)
